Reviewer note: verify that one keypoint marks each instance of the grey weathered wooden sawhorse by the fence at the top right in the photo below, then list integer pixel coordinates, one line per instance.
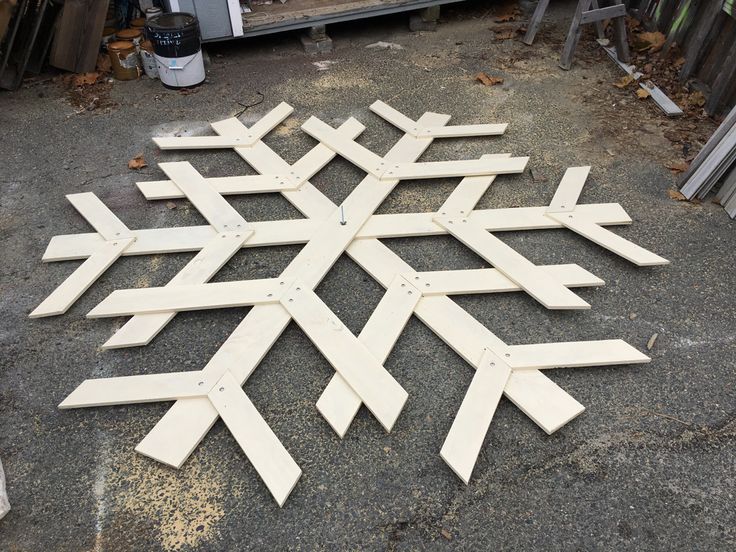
(586, 12)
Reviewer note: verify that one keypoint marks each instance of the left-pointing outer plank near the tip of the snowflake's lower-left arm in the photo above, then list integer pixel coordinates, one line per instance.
(139, 389)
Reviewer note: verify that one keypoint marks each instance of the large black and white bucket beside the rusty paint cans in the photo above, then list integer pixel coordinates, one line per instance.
(178, 49)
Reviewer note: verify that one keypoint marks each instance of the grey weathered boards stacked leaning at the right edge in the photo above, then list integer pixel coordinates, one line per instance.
(715, 163)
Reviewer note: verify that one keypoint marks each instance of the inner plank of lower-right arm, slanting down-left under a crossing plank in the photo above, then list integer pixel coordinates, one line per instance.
(338, 403)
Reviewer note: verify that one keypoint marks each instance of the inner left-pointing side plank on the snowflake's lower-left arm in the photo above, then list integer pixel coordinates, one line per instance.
(219, 295)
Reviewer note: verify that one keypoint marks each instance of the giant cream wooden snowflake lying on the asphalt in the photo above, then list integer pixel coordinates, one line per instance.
(328, 231)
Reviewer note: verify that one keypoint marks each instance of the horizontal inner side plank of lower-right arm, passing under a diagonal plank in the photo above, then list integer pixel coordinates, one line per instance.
(490, 280)
